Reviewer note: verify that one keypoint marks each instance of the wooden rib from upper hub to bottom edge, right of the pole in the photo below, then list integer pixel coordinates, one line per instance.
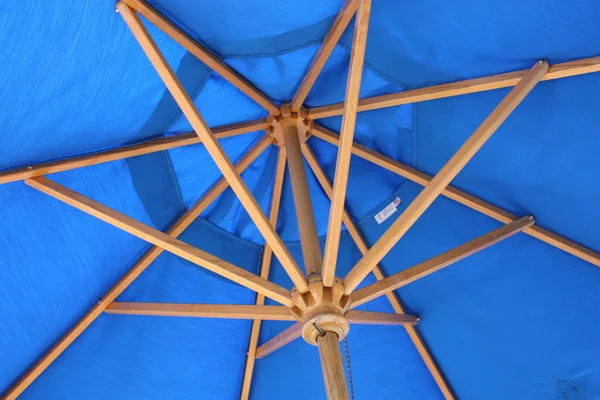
(379, 275)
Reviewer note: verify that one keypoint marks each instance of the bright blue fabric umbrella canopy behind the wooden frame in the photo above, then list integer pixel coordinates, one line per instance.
(518, 320)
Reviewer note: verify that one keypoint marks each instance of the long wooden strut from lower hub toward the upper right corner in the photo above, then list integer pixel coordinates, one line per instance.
(437, 185)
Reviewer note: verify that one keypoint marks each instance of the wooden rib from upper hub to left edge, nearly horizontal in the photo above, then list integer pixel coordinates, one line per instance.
(152, 146)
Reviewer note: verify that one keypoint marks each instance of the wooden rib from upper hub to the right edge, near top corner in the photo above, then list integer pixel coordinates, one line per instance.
(557, 71)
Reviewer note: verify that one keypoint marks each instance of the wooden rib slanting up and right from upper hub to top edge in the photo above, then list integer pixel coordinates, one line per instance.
(316, 66)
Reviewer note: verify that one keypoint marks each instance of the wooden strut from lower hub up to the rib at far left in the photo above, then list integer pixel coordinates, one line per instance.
(161, 239)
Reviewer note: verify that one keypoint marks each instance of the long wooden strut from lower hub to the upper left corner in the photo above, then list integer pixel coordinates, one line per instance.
(212, 146)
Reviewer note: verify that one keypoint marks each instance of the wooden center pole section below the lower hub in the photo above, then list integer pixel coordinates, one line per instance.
(333, 370)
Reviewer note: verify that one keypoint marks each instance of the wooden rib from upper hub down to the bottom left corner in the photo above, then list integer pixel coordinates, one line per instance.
(136, 270)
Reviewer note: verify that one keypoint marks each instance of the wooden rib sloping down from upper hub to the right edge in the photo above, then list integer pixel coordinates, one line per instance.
(462, 197)
